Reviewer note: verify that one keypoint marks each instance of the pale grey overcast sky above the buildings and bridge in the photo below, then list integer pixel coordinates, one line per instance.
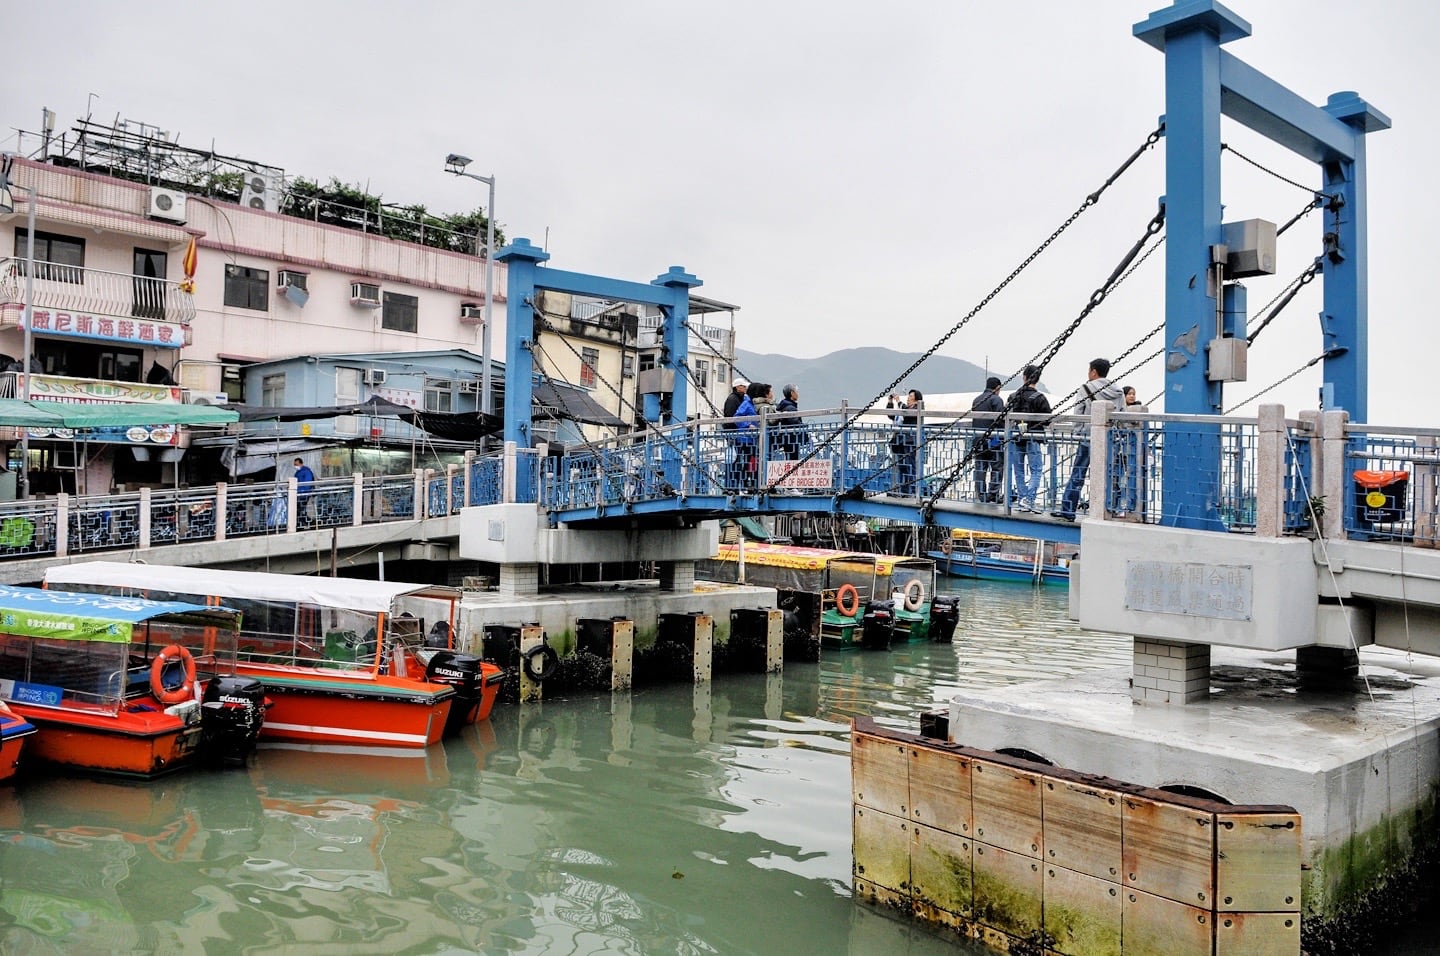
(849, 173)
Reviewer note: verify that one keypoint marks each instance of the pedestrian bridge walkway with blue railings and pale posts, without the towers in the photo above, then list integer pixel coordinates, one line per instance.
(1268, 473)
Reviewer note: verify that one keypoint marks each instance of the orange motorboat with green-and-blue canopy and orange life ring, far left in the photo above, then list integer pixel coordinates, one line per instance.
(125, 686)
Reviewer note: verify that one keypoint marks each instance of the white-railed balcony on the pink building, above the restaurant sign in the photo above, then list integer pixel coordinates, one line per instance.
(76, 292)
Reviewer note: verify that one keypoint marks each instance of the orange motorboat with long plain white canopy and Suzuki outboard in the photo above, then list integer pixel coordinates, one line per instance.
(343, 662)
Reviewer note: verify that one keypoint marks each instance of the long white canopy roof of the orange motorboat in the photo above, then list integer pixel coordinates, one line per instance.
(322, 592)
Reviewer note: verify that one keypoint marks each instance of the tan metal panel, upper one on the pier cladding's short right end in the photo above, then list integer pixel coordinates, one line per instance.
(1258, 863)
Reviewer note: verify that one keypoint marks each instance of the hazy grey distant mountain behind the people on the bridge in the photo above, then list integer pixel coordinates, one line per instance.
(858, 375)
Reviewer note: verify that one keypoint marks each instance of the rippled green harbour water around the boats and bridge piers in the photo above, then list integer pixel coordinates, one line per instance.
(680, 820)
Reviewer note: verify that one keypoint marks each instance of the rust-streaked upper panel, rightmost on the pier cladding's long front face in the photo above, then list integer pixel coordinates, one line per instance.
(1170, 852)
